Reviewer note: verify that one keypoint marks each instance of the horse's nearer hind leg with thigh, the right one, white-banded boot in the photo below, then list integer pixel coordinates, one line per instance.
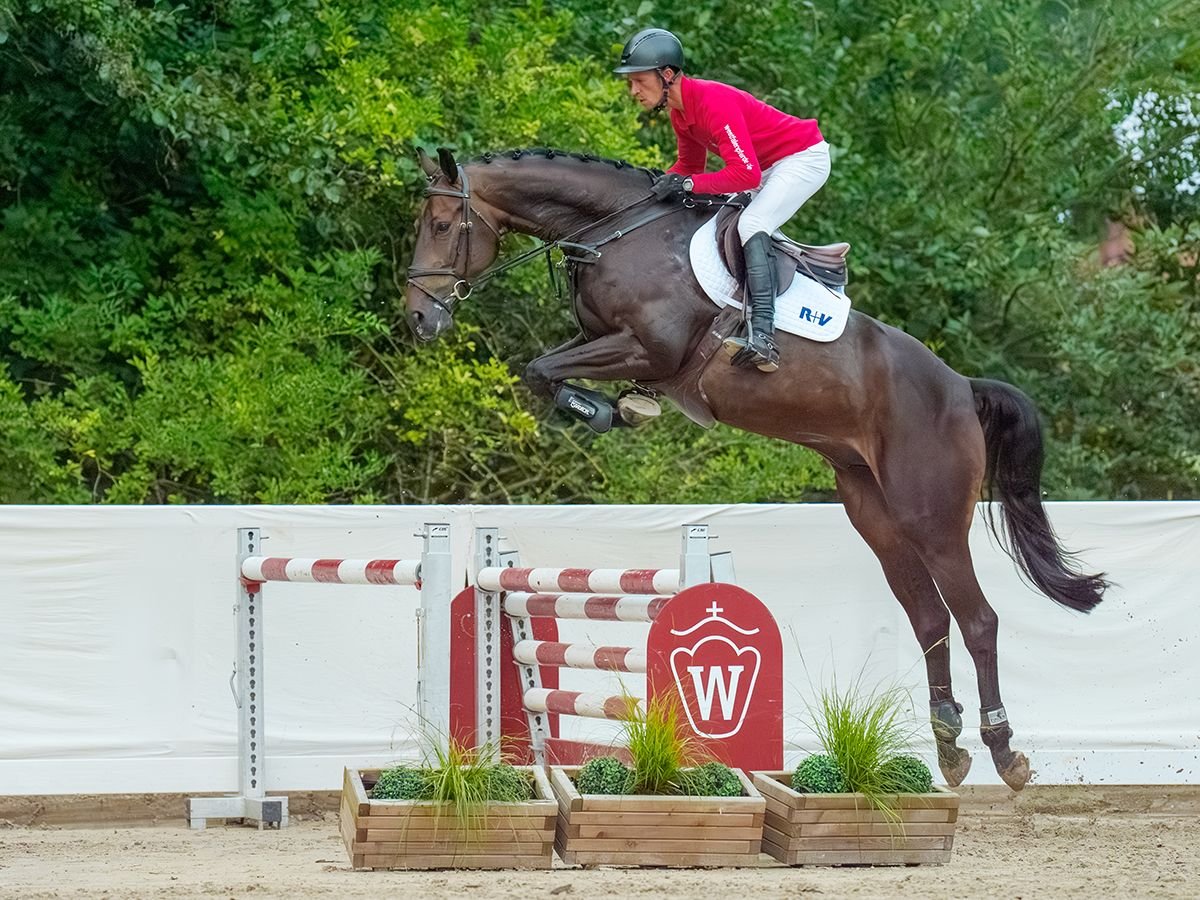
(932, 493)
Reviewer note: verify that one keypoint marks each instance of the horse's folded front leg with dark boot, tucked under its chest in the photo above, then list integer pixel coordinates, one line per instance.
(619, 357)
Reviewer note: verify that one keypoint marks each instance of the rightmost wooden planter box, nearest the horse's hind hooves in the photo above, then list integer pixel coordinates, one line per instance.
(845, 830)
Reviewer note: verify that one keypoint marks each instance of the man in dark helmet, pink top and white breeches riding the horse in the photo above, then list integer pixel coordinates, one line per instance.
(782, 159)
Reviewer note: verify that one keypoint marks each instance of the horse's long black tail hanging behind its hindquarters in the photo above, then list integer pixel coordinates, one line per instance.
(1013, 439)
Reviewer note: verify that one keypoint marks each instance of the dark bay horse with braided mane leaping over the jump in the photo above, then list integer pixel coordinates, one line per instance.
(914, 445)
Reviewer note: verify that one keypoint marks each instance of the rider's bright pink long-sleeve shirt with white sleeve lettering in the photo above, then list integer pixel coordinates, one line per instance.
(741, 129)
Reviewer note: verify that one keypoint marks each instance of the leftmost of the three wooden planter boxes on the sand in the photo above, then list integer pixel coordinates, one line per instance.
(416, 835)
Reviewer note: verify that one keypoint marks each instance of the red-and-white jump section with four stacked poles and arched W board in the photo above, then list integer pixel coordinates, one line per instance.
(711, 644)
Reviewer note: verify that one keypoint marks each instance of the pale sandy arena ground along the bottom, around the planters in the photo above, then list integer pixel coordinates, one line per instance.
(1046, 843)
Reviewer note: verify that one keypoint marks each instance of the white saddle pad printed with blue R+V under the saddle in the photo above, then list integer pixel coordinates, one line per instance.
(807, 309)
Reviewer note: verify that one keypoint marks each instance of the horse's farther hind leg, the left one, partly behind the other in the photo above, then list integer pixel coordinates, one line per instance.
(919, 596)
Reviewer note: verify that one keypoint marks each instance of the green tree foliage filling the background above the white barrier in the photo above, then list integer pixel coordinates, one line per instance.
(206, 213)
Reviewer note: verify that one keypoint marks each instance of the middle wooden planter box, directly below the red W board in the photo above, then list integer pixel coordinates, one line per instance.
(605, 830)
